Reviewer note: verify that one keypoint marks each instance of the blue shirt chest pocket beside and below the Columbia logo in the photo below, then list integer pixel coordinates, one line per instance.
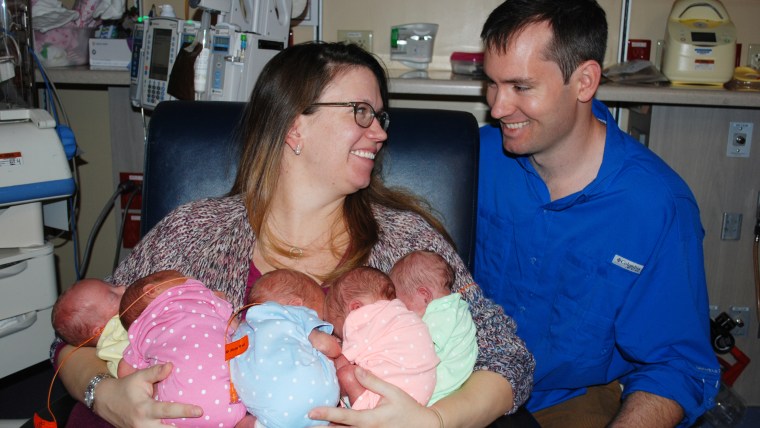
(592, 291)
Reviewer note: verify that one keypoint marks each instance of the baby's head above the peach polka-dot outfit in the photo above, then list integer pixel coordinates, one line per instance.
(354, 289)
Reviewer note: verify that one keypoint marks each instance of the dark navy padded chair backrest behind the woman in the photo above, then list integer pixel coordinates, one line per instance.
(191, 153)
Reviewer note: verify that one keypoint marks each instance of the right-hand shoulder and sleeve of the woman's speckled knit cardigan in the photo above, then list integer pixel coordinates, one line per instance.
(500, 350)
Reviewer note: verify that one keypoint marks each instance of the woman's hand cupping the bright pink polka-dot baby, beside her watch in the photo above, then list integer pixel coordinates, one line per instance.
(128, 402)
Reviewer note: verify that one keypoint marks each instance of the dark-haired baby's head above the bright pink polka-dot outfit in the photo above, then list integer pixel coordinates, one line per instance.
(140, 293)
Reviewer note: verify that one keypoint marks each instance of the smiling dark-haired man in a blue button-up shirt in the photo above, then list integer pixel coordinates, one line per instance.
(588, 239)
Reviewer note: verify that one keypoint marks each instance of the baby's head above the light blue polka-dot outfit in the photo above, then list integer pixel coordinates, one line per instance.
(288, 287)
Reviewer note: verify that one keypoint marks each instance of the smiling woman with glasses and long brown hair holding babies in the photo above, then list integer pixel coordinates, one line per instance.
(307, 197)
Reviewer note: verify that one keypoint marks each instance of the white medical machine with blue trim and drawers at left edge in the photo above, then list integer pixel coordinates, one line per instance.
(35, 177)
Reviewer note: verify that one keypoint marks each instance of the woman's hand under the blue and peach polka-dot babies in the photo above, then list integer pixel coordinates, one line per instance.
(395, 409)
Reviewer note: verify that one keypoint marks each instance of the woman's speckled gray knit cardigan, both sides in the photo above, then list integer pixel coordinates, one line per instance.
(211, 240)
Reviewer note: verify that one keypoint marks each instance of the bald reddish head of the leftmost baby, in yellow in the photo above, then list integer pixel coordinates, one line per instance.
(84, 309)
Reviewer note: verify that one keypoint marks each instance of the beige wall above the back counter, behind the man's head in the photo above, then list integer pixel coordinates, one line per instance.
(460, 22)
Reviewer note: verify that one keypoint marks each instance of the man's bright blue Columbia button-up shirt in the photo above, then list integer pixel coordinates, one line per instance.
(607, 283)
